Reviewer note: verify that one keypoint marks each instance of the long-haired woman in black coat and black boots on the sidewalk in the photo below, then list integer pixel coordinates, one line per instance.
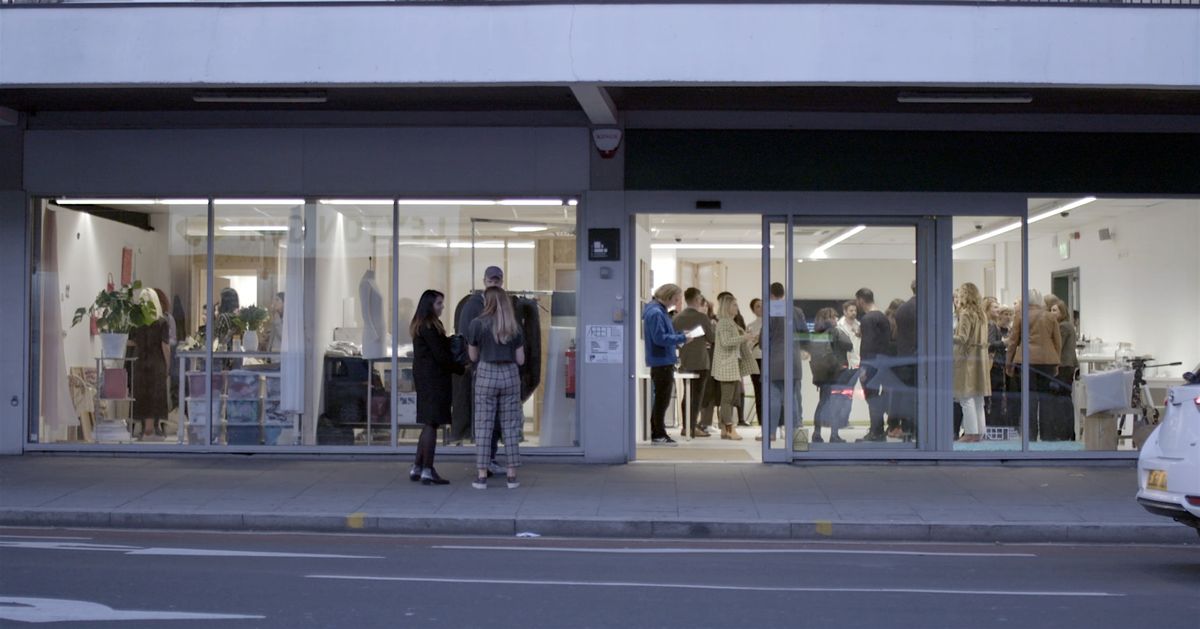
(434, 363)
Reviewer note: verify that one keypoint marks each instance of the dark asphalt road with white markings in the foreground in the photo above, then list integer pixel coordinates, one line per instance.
(236, 580)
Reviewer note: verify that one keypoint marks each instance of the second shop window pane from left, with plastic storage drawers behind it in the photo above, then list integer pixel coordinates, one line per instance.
(251, 297)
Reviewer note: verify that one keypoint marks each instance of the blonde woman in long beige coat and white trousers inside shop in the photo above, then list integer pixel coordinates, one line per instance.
(973, 378)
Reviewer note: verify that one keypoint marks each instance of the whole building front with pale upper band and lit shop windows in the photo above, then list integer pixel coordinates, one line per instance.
(328, 163)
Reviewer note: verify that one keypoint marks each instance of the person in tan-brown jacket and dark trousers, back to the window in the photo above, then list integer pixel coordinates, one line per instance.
(1046, 352)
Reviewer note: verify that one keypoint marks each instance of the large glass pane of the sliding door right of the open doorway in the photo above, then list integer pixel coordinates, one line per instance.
(860, 366)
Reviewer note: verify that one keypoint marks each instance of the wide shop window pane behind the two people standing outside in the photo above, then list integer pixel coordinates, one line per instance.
(447, 248)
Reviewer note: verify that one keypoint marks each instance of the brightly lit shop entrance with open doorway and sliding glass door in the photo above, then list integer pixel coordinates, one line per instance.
(808, 390)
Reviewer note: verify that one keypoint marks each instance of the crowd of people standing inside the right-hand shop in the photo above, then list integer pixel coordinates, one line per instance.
(865, 349)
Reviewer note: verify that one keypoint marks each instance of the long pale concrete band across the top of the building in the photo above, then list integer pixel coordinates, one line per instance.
(713, 44)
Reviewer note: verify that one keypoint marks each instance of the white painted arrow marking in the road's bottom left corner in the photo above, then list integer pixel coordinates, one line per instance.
(37, 610)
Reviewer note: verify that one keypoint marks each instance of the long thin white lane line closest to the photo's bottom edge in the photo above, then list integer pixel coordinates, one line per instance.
(727, 589)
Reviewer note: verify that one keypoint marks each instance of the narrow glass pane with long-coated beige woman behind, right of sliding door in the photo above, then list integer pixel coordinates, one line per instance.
(987, 290)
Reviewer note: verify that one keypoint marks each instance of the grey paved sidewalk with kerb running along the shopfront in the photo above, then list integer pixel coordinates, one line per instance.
(838, 502)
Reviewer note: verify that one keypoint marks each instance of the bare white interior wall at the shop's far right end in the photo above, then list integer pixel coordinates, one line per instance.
(1141, 287)
